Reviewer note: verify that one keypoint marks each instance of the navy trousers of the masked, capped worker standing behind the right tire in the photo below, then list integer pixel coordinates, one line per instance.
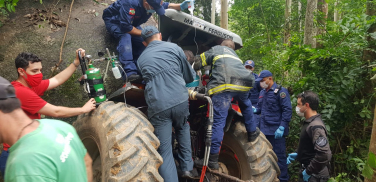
(279, 148)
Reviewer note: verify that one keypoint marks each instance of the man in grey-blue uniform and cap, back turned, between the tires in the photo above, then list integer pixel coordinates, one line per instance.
(165, 70)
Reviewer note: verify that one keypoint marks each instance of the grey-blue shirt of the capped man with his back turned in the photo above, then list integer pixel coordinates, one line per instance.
(166, 71)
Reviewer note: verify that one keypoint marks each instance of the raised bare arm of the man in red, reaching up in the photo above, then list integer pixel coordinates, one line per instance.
(63, 76)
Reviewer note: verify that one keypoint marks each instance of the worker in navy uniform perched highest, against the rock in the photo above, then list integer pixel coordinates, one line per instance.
(123, 19)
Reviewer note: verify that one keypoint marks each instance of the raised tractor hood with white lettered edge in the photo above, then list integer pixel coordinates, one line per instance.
(179, 27)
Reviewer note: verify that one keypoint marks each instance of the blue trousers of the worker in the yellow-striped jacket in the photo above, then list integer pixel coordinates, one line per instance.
(221, 105)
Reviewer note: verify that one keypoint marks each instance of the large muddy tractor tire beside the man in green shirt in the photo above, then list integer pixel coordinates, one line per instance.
(121, 142)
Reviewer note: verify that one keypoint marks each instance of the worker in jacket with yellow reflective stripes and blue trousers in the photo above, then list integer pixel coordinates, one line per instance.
(228, 79)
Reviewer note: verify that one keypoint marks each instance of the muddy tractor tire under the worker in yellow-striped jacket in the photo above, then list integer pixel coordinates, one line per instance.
(248, 160)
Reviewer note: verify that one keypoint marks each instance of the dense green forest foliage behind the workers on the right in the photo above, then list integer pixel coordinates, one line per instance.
(338, 72)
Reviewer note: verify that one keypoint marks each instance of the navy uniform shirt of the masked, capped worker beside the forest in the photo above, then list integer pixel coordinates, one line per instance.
(275, 109)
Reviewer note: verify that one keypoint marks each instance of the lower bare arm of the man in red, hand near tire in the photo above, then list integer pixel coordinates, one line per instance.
(63, 112)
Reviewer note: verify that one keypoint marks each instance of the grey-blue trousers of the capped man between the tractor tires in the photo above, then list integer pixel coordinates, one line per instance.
(163, 122)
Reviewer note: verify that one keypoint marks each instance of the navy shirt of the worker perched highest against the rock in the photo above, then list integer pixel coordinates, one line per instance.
(128, 14)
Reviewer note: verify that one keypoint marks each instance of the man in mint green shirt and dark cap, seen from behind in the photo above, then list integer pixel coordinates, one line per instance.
(43, 150)
